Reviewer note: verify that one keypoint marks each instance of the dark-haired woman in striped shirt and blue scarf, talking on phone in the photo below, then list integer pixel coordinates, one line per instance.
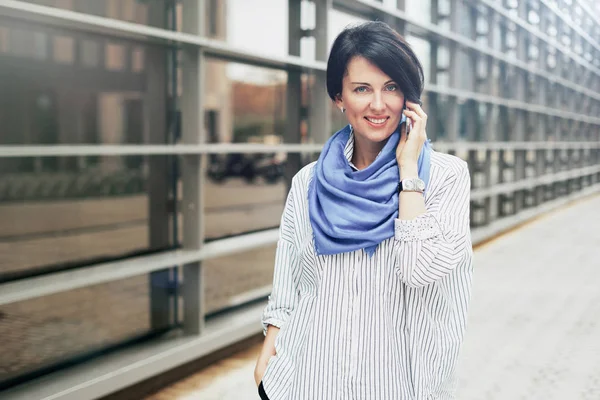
(373, 265)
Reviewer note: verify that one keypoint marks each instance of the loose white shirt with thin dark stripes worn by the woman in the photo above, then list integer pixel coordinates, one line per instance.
(386, 327)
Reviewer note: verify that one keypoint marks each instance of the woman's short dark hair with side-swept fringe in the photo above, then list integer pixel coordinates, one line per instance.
(377, 42)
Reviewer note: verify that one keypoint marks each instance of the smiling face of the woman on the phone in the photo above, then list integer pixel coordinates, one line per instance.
(373, 101)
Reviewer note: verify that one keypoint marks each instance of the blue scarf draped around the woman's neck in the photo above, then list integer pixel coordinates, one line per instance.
(351, 210)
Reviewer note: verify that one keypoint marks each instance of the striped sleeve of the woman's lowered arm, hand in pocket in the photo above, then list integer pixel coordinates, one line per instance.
(286, 276)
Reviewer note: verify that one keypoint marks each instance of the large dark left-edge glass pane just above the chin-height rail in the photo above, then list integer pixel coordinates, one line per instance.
(101, 94)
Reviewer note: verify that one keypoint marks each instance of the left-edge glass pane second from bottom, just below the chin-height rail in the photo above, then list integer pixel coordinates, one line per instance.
(68, 211)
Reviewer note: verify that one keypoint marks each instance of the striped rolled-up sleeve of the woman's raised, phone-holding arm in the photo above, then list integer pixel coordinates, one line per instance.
(431, 246)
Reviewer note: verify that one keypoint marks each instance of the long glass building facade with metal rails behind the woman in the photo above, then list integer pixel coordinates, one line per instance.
(146, 148)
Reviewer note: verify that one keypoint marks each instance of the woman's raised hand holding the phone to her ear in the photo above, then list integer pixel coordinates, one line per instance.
(409, 148)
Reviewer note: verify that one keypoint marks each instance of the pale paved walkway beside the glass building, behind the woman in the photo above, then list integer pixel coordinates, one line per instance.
(534, 325)
